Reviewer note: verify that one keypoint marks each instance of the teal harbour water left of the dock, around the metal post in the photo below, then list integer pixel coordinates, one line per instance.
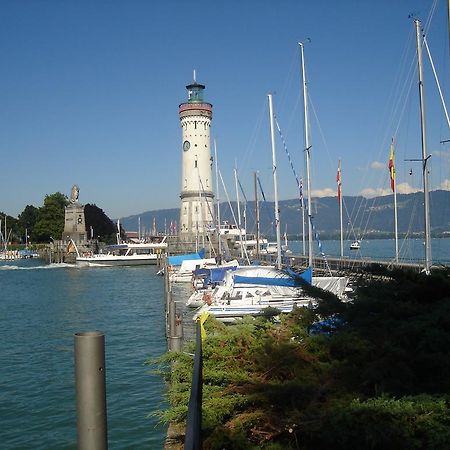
(41, 308)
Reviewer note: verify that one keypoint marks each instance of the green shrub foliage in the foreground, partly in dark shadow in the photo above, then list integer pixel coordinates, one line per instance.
(380, 380)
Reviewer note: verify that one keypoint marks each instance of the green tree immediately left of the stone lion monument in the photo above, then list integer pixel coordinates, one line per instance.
(50, 218)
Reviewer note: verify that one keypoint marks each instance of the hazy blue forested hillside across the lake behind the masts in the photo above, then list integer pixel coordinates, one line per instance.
(361, 216)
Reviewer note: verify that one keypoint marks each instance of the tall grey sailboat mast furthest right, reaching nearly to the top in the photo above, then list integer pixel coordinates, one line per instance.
(424, 149)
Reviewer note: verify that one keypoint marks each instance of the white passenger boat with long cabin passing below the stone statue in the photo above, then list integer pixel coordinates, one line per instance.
(125, 254)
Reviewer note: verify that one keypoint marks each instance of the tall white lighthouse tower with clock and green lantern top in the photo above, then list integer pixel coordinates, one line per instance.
(197, 210)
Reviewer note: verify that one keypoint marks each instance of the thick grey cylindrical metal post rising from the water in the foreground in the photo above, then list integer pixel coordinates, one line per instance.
(90, 375)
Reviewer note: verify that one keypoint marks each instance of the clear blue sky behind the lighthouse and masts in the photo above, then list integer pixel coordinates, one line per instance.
(89, 95)
